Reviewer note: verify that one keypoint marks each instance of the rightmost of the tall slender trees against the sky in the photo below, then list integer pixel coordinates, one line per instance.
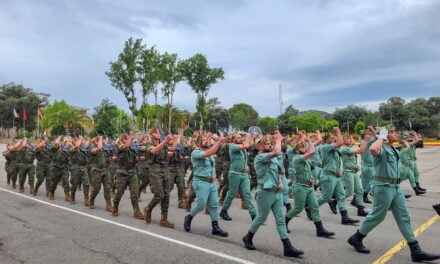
(200, 77)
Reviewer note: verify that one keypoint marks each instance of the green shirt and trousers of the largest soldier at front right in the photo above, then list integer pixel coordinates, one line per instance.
(387, 194)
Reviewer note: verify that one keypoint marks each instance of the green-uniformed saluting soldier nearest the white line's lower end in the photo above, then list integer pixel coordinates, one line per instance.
(269, 194)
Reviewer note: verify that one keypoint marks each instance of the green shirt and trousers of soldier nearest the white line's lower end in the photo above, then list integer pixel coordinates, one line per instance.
(268, 196)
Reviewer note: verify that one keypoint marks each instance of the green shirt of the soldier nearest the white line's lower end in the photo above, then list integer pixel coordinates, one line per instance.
(267, 170)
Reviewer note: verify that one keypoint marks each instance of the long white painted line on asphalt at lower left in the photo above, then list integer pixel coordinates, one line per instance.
(205, 250)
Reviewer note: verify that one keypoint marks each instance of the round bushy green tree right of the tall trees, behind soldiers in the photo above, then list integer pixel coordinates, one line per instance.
(243, 116)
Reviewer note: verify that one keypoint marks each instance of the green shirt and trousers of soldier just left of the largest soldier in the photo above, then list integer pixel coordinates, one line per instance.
(330, 180)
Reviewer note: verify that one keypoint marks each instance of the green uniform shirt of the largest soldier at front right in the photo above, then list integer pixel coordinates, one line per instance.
(386, 164)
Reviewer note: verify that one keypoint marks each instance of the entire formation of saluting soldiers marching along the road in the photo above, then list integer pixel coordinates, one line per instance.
(278, 168)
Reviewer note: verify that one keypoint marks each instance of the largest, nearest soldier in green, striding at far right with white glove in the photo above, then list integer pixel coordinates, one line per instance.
(387, 195)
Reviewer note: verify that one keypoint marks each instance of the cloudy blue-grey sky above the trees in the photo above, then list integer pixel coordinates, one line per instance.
(325, 54)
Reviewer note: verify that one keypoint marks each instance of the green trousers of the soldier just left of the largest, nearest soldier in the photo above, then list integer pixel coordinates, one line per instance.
(331, 184)
